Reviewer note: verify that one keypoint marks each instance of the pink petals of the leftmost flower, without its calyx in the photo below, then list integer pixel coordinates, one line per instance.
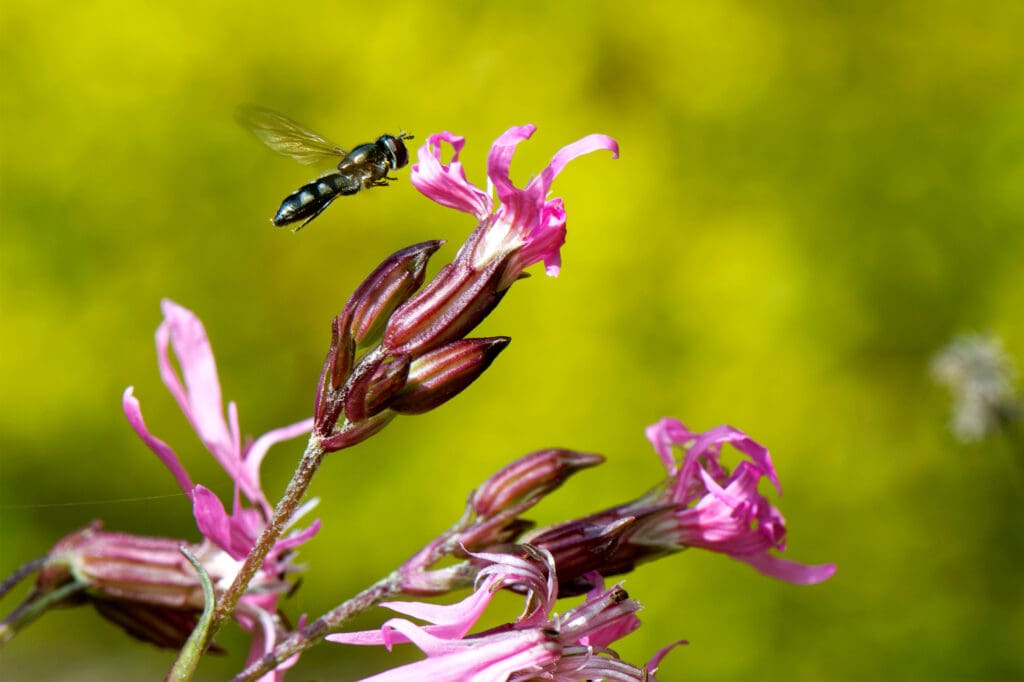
(197, 391)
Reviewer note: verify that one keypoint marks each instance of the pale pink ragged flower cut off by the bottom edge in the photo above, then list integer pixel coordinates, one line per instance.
(540, 645)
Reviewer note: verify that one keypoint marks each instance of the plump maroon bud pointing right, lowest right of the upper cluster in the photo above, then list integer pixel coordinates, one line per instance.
(441, 375)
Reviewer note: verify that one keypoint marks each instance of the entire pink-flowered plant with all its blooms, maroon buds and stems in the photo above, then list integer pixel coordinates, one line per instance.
(401, 346)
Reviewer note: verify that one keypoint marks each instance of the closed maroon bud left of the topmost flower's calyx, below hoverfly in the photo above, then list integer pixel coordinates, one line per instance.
(389, 287)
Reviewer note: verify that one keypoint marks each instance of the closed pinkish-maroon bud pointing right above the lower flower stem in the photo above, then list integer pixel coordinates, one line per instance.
(530, 478)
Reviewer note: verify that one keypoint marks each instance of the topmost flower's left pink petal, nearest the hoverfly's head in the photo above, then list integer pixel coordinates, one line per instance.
(447, 184)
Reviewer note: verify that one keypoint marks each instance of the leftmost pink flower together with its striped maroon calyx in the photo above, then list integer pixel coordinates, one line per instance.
(144, 584)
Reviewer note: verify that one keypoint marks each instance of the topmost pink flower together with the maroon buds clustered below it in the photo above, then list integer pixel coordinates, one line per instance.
(399, 351)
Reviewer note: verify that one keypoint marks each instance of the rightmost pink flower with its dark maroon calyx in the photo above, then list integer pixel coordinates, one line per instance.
(701, 504)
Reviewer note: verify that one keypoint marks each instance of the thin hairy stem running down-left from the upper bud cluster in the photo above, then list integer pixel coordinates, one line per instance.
(311, 461)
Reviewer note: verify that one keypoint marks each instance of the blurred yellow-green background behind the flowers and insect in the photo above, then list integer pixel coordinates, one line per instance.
(812, 200)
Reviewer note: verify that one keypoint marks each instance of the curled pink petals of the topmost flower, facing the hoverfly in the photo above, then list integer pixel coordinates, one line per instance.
(528, 227)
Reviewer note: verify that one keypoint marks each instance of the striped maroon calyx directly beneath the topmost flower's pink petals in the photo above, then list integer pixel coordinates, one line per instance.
(449, 308)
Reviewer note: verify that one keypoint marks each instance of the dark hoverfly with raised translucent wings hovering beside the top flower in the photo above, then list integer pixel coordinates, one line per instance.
(366, 166)
